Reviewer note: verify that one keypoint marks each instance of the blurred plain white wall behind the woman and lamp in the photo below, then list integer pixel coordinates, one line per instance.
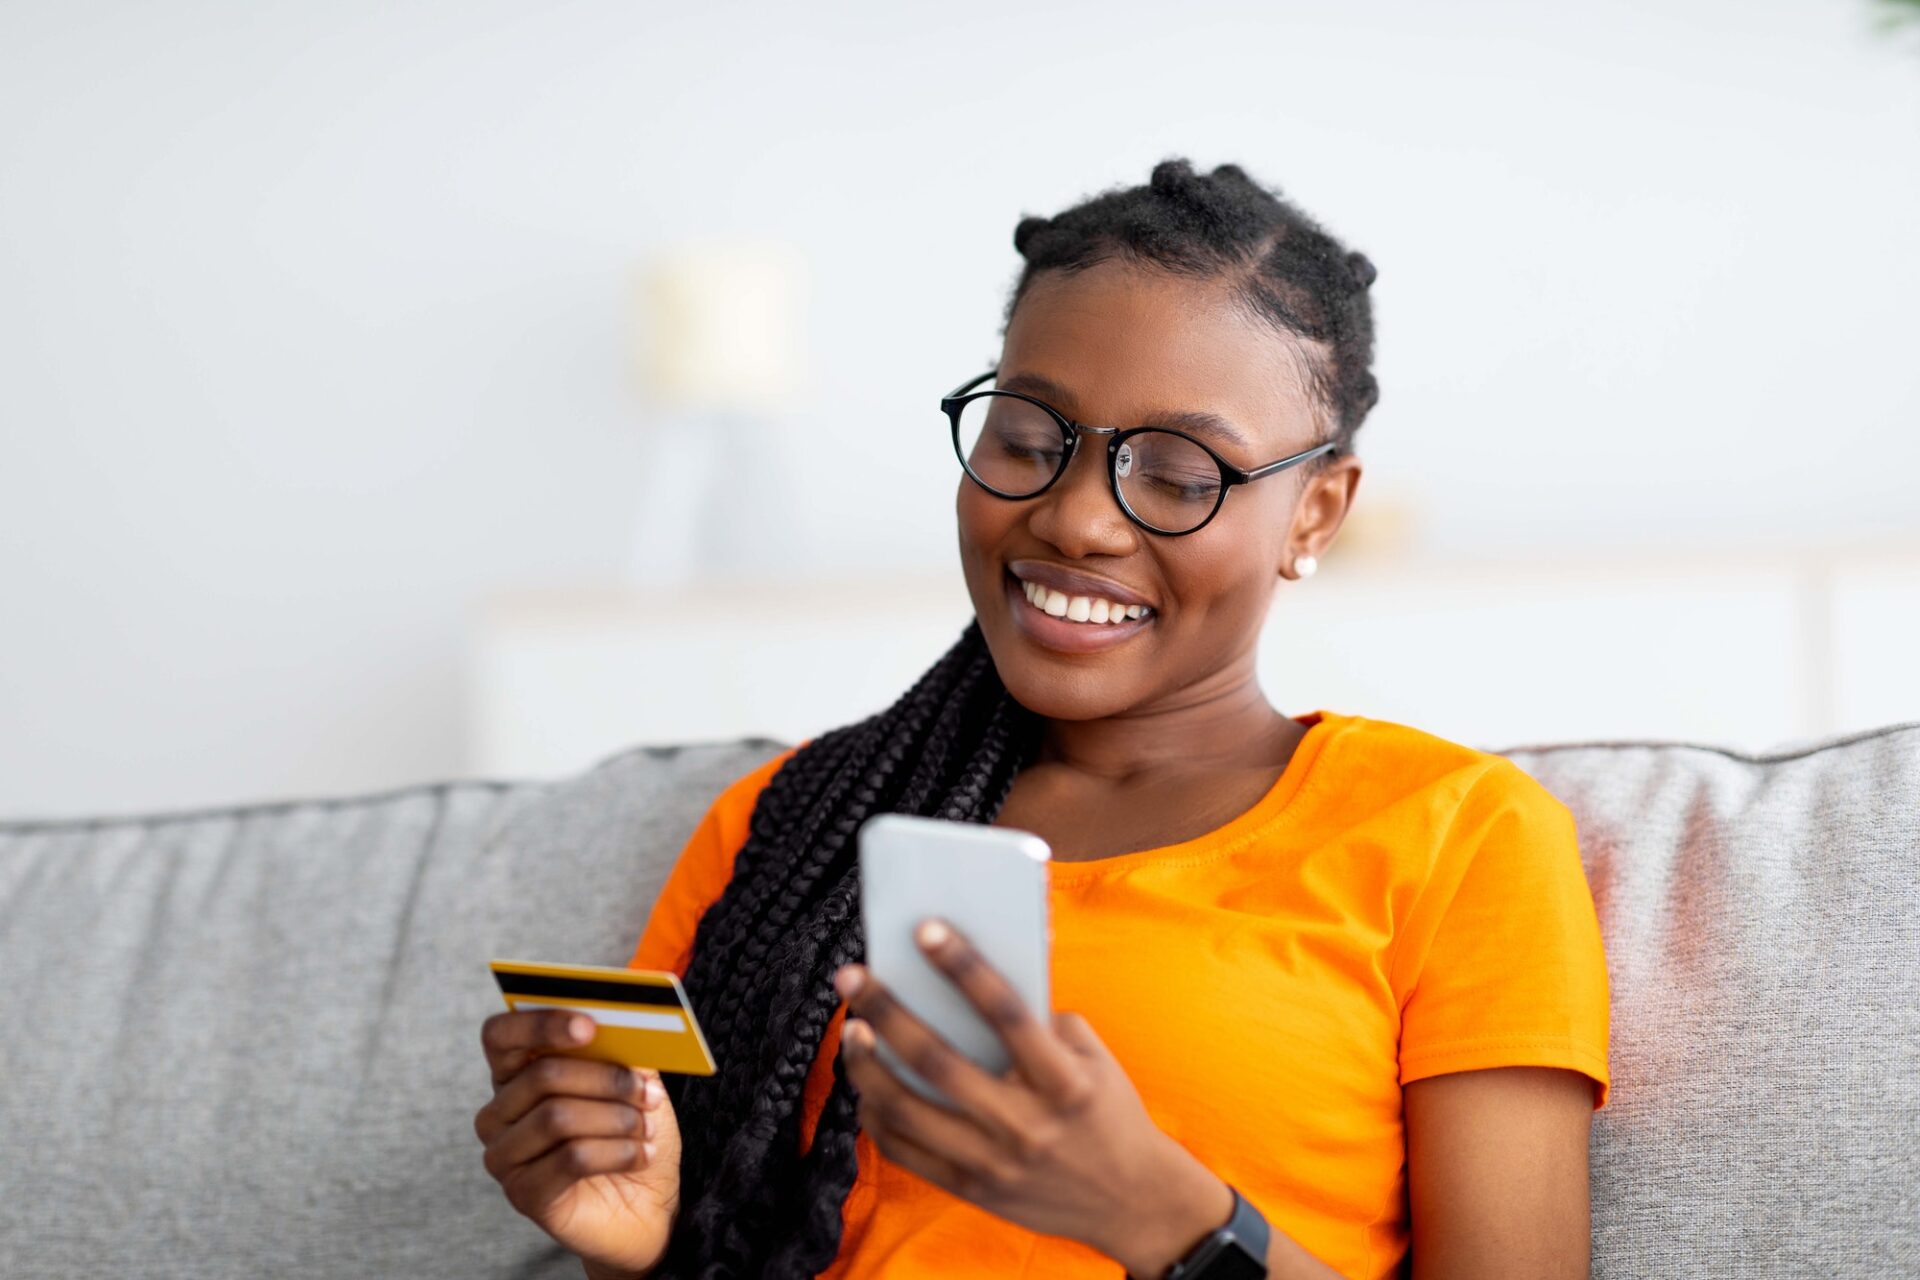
(316, 321)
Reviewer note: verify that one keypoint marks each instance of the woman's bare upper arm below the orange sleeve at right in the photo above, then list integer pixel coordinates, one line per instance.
(1499, 1173)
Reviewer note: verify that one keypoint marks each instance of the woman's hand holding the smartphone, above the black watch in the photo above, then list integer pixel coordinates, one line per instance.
(1059, 1145)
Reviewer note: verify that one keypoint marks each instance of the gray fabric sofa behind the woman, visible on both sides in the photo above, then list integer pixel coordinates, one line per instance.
(245, 1041)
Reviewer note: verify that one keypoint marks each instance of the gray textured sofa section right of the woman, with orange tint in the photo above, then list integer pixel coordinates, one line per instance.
(1762, 918)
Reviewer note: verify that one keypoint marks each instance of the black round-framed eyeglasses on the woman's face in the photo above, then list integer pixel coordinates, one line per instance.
(1164, 481)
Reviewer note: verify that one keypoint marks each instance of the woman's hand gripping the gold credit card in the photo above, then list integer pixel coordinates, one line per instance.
(588, 1150)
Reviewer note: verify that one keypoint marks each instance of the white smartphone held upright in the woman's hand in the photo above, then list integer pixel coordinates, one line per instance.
(986, 882)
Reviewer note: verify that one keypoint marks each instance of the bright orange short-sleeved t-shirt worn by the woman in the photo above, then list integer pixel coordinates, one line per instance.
(1397, 907)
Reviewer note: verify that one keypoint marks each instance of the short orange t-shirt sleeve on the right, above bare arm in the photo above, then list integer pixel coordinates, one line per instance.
(1502, 953)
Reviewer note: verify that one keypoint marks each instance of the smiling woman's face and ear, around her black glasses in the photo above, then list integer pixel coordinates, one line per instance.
(1124, 346)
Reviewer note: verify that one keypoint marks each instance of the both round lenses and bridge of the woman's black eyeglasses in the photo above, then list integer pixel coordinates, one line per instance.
(1015, 448)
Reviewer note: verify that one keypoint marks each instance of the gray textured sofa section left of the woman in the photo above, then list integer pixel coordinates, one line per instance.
(247, 1043)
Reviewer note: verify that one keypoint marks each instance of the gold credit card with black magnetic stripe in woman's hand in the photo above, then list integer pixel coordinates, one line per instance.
(642, 1016)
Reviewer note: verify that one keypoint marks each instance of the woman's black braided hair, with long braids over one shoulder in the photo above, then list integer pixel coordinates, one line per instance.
(790, 916)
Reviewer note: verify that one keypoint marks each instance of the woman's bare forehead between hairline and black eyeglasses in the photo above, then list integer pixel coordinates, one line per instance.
(1118, 344)
